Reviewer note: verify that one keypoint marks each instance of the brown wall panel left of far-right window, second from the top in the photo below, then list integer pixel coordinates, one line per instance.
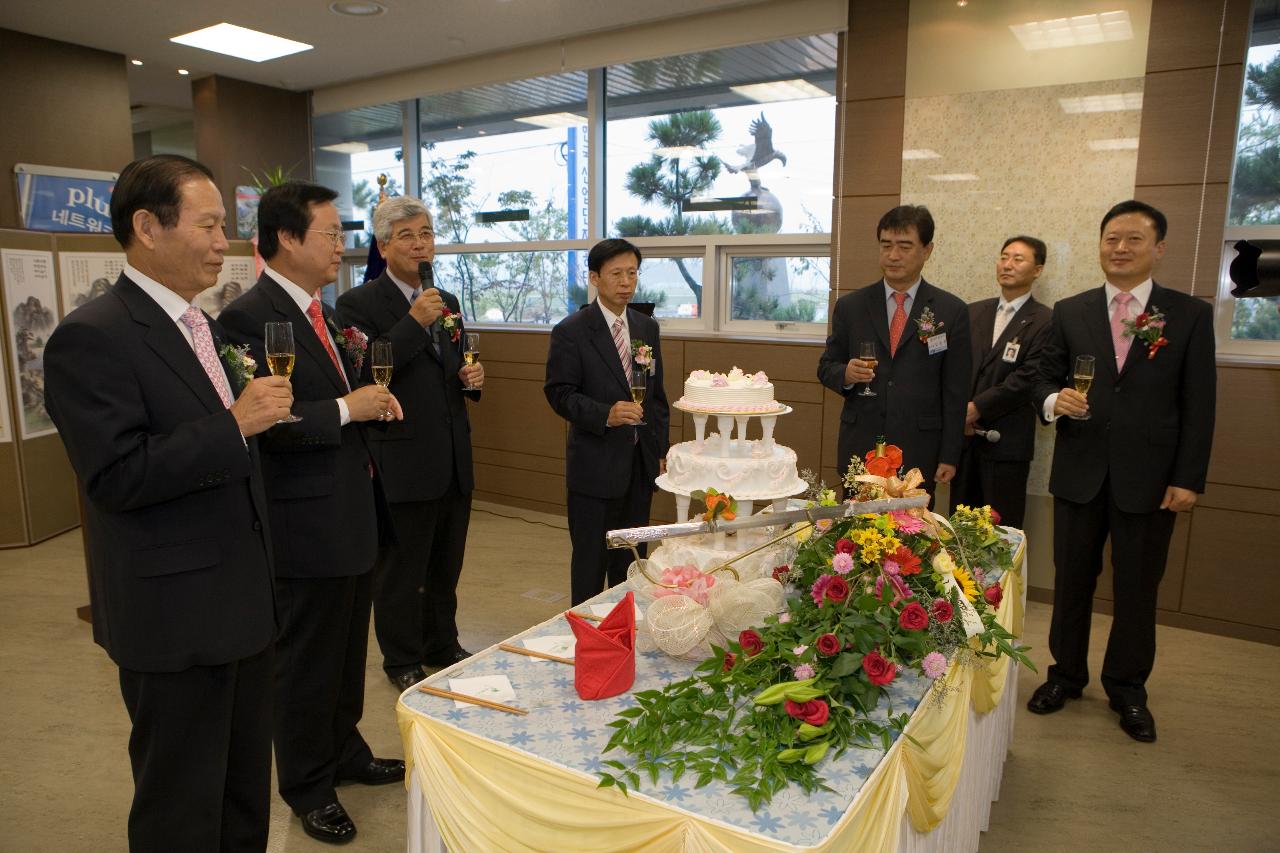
(1176, 112)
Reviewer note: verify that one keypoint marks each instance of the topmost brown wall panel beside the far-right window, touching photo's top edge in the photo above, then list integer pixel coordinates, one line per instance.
(1185, 34)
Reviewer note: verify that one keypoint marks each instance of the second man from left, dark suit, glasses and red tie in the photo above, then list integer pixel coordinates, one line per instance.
(322, 501)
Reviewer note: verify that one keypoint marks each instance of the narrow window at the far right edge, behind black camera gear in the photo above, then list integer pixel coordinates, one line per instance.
(1251, 327)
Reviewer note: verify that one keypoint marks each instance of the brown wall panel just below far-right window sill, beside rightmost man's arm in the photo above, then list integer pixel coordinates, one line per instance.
(1249, 400)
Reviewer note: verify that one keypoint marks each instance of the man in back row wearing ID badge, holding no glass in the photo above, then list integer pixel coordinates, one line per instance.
(1009, 334)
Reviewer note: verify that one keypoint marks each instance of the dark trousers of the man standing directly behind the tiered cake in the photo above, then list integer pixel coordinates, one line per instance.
(591, 518)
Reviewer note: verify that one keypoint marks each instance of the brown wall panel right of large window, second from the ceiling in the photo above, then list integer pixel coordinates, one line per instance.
(874, 147)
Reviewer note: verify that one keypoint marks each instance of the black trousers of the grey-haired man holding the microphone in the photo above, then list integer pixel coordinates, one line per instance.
(417, 581)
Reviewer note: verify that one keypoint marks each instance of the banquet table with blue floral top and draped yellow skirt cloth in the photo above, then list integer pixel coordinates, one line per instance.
(483, 781)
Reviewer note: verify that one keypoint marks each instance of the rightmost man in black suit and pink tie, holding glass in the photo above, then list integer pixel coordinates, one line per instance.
(1124, 463)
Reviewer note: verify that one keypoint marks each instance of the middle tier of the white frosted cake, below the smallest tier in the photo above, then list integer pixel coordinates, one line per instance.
(749, 472)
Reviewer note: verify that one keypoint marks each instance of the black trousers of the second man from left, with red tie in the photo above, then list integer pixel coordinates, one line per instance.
(321, 686)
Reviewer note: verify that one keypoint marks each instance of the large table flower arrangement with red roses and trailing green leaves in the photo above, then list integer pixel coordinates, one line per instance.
(871, 597)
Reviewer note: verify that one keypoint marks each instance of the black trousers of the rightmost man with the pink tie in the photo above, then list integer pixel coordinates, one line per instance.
(1140, 548)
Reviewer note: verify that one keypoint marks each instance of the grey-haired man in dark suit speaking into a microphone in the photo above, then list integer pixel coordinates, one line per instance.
(426, 460)
